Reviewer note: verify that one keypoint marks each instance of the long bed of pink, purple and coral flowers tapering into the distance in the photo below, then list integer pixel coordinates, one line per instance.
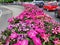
(31, 27)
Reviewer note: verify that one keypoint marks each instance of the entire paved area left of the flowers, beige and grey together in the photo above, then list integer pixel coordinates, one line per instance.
(7, 12)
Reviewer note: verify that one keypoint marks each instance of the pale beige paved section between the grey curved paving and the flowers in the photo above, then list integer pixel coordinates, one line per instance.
(16, 9)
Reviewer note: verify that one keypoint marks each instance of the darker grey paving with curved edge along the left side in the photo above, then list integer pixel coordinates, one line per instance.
(6, 13)
